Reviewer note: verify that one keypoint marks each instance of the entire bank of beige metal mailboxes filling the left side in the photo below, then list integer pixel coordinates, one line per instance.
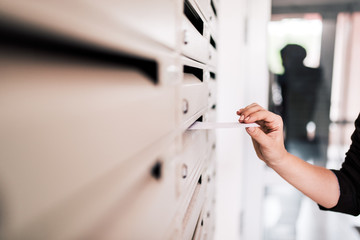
(96, 100)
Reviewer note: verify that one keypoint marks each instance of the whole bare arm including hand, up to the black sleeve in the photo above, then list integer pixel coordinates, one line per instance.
(318, 183)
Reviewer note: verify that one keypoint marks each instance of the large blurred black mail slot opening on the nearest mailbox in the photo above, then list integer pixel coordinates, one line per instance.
(31, 40)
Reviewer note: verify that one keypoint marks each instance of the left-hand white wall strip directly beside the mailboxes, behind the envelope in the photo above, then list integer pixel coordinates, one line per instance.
(230, 98)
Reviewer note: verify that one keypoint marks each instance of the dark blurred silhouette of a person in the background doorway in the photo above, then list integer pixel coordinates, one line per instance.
(299, 87)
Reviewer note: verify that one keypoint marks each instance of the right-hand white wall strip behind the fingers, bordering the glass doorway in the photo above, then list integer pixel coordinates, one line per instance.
(257, 82)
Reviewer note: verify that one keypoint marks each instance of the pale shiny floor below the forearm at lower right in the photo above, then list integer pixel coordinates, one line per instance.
(291, 216)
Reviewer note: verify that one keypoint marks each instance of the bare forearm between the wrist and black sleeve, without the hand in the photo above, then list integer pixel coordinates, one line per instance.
(318, 183)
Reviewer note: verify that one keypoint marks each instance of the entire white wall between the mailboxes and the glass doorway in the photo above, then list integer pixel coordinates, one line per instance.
(243, 79)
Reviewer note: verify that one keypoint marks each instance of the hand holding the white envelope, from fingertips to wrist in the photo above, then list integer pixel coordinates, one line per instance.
(268, 140)
